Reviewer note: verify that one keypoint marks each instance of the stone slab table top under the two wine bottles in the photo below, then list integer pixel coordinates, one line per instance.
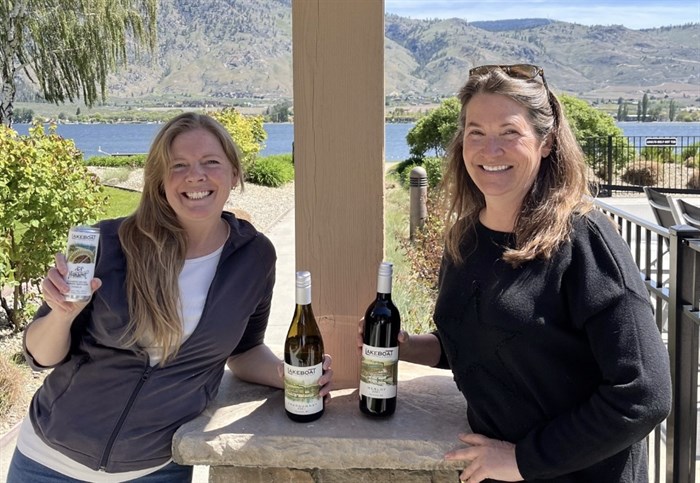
(246, 426)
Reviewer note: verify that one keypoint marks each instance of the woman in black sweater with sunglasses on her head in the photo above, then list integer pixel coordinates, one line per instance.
(541, 313)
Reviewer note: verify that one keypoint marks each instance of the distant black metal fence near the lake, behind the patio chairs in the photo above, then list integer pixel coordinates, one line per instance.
(627, 163)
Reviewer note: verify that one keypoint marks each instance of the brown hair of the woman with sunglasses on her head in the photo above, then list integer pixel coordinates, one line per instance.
(559, 190)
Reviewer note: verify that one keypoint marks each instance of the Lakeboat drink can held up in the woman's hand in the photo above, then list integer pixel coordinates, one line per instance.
(81, 254)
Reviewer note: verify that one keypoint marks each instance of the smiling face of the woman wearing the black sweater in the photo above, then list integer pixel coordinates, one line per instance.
(501, 150)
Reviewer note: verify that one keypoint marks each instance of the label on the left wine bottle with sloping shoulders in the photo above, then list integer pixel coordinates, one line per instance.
(301, 389)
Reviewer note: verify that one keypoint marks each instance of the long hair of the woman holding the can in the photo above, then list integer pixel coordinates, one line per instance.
(155, 243)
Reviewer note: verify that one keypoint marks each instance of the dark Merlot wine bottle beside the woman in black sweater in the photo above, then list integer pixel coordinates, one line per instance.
(380, 350)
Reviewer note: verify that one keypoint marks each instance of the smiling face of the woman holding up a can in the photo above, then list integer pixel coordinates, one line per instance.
(199, 178)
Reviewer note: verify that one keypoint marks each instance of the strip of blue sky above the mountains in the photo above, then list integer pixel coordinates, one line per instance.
(634, 14)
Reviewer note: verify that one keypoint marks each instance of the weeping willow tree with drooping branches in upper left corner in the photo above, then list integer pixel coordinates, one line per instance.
(69, 48)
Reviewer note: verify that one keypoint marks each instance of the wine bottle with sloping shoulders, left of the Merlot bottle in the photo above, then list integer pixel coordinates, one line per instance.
(303, 358)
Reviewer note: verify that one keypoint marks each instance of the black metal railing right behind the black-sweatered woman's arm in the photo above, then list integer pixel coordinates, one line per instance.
(669, 262)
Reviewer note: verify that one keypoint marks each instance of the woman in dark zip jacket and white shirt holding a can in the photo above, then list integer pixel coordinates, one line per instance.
(181, 289)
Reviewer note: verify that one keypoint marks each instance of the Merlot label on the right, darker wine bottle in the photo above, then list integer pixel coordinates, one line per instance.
(379, 371)
